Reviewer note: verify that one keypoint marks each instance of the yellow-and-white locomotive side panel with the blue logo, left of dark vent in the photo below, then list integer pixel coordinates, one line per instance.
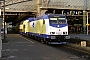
(35, 26)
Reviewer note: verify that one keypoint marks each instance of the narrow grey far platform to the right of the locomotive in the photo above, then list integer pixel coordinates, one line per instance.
(80, 36)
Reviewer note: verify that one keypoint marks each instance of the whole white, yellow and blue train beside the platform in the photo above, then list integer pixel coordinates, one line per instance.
(49, 28)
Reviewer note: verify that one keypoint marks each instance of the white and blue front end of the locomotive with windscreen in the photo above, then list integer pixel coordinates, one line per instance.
(58, 29)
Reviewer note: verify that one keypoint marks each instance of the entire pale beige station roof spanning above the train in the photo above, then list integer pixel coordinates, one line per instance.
(31, 5)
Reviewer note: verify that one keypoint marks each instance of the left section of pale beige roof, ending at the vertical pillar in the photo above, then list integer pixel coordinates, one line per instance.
(19, 5)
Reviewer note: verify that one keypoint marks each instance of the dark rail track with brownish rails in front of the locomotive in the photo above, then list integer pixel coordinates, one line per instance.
(72, 49)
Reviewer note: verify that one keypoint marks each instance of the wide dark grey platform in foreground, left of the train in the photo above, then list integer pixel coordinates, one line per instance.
(22, 48)
